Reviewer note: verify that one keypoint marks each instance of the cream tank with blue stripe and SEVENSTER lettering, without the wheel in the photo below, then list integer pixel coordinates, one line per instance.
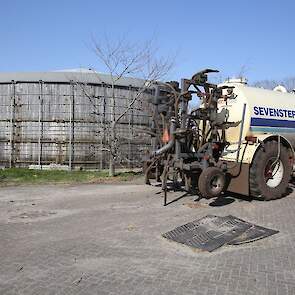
(267, 113)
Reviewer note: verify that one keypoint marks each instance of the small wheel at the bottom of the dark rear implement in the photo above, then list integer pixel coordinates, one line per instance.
(211, 182)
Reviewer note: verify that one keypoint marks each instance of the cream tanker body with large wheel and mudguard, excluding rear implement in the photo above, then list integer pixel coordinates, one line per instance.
(268, 120)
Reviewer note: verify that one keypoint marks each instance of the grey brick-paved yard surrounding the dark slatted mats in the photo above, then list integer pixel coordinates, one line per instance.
(106, 239)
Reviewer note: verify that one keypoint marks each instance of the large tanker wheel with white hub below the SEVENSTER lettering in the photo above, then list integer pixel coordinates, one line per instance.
(269, 176)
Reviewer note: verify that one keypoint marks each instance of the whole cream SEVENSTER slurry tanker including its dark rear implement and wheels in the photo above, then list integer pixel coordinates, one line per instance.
(240, 139)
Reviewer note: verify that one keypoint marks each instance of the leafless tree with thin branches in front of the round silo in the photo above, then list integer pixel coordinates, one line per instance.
(119, 59)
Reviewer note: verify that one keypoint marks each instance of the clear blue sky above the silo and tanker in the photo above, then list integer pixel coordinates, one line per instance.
(228, 35)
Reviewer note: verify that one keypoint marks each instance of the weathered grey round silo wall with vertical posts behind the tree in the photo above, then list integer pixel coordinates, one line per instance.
(43, 123)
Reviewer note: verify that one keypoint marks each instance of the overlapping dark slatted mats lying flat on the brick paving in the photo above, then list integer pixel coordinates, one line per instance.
(212, 232)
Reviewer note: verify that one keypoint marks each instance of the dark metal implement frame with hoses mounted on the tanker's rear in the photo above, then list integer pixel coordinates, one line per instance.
(197, 138)
